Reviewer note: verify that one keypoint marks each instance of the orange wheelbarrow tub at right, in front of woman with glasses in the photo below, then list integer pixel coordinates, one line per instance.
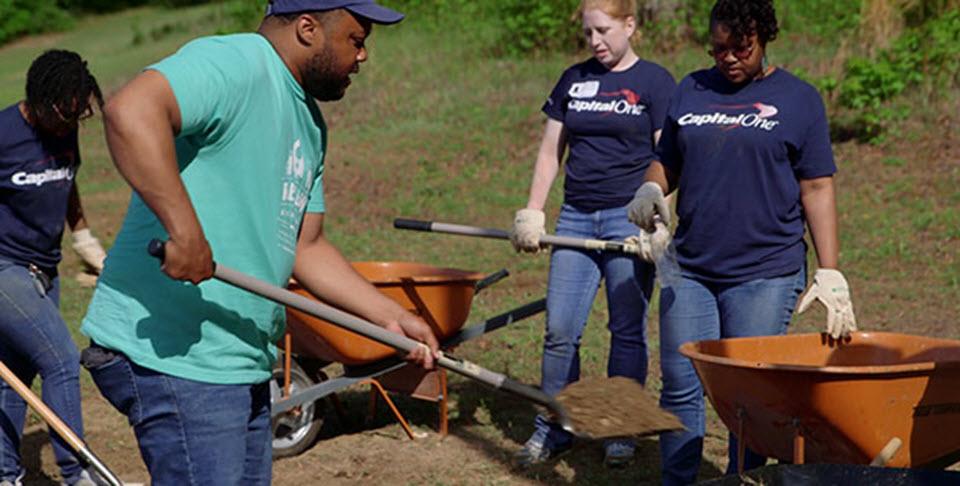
(876, 398)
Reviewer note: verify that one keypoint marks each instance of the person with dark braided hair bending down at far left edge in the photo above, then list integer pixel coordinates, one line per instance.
(39, 158)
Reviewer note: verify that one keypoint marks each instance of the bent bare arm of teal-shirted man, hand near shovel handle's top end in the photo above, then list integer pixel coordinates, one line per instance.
(140, 123)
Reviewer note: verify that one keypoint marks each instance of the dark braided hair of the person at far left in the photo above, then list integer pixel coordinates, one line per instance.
(61, 79)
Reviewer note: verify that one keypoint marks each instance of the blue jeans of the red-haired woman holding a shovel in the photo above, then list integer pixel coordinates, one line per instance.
(571, 289)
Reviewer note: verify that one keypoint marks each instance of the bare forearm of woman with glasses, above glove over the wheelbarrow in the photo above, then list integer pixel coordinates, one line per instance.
(820, 207)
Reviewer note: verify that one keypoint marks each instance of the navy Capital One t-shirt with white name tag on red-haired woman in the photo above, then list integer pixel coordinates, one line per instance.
(610, 118)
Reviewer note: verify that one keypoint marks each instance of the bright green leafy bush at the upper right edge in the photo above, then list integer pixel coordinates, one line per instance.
(928, 55)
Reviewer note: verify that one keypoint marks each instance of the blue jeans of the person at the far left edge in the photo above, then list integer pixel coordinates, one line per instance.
(34, 339)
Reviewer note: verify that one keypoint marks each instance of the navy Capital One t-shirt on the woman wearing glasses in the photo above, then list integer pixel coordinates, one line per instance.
(740, 152)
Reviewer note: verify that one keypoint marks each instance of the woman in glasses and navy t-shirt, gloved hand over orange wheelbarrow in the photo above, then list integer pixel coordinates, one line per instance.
(747, 147)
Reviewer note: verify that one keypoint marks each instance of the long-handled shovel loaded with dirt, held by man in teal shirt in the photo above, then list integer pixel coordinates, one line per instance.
(592, 402)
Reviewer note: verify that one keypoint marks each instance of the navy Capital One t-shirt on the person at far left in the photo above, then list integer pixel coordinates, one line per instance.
(36, 176)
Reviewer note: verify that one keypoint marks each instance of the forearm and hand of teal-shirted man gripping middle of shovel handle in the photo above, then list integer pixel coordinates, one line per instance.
(322, 270)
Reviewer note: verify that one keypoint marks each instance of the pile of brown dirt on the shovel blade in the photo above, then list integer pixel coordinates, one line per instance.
(614, 407)
